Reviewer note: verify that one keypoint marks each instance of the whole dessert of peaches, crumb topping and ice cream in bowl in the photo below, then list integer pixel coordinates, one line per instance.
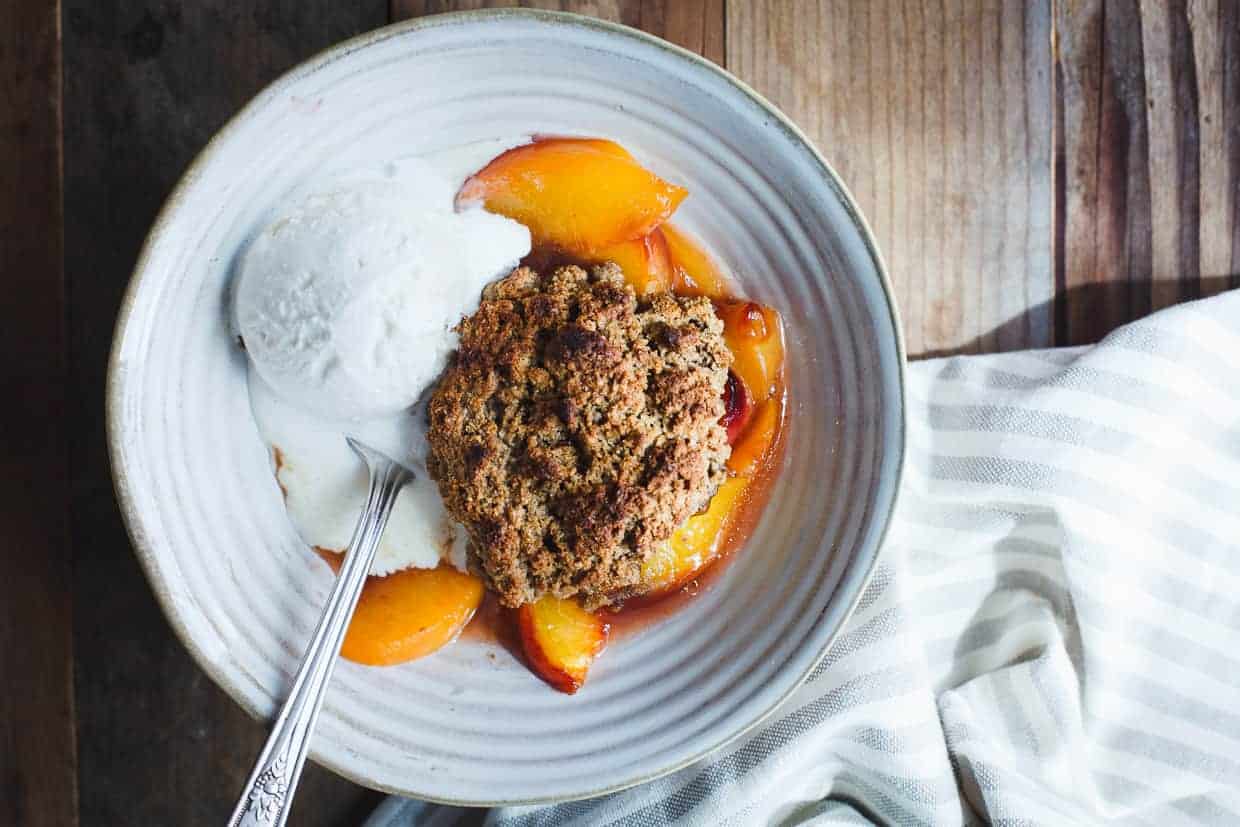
(607, 426)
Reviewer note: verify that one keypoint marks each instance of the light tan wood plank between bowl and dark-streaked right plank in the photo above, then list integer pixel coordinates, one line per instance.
(938, 117)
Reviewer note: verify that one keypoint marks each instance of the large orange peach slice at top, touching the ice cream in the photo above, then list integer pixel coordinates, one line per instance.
(575, 194)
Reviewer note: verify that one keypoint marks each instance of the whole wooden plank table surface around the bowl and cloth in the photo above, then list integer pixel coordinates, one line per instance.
(1037, 174)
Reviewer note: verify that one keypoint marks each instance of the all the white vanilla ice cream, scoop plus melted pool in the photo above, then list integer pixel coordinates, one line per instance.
(345, 304)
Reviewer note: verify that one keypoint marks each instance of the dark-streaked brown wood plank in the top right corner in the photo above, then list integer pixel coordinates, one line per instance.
(1149, 99)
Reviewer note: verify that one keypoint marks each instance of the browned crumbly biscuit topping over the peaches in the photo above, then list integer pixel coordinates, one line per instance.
(576, 428)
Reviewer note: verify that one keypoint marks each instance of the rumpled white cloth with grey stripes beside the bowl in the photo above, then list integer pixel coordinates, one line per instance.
(1053, 633)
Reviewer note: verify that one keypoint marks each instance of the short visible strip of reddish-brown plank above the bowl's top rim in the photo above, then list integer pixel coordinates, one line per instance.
(697, 25)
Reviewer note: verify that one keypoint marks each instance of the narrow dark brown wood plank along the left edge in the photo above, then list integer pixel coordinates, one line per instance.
(38, 777)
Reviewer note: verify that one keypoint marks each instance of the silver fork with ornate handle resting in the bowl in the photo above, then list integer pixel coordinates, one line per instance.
(268, 794)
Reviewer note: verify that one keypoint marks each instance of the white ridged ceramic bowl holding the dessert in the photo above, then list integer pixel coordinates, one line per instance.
(471, 725)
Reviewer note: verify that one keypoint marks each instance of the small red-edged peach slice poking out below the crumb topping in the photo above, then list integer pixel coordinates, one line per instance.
(561, 640)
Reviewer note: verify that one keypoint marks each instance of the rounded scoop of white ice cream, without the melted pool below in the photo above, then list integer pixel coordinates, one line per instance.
(347, 302)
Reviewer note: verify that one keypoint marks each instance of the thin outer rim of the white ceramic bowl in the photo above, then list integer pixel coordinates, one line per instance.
(116, 374)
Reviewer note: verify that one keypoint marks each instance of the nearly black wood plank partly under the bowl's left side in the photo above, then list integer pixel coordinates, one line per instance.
(146, 86)
